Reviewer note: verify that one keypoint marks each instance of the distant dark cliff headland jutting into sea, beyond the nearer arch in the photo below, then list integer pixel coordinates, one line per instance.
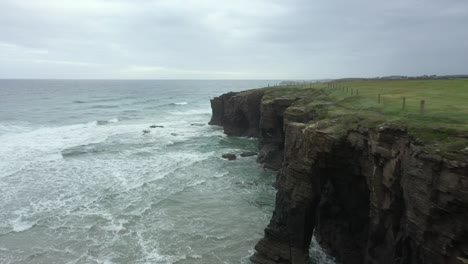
(246, 114)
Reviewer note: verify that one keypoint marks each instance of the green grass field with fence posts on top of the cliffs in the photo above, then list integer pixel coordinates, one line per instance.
(443, 125)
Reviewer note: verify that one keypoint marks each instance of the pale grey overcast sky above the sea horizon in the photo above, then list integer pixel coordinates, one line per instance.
(238, 39)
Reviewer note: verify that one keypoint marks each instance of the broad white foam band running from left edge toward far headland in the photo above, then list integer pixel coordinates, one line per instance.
(55, 143)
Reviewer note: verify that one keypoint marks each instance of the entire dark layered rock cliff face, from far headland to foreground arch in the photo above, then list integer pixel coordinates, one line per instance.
(369, 194)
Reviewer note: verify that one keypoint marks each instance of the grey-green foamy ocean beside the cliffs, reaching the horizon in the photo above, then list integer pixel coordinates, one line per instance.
(80, 182)
